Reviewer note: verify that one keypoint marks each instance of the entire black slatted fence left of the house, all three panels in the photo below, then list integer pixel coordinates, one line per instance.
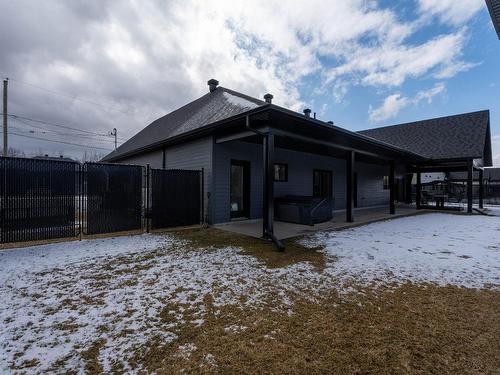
(44, 199)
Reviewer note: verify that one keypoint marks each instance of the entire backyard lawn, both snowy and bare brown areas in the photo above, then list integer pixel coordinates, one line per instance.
(413, 295)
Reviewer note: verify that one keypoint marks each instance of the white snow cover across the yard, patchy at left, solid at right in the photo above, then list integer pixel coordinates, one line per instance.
(59, 299)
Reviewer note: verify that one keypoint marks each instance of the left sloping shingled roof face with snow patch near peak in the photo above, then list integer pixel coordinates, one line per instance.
(214, 106)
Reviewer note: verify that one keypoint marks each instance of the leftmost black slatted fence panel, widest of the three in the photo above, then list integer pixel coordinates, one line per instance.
(38, 199)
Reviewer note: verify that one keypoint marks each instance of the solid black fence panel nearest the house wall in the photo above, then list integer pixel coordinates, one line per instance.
(175, 197)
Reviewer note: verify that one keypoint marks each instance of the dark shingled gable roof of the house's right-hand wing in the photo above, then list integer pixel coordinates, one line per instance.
(461, 136)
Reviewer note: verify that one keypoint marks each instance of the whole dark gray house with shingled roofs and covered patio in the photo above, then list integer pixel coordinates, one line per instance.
(254, 153)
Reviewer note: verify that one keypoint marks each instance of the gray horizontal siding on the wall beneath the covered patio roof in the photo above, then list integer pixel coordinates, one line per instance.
(300, 178)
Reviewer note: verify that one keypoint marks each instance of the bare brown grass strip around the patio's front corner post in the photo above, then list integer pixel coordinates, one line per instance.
(263, 250)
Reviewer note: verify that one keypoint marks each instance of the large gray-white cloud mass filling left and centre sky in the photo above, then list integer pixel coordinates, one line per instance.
(140, 60)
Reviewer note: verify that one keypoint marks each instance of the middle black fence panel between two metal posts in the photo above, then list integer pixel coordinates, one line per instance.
(113, 197)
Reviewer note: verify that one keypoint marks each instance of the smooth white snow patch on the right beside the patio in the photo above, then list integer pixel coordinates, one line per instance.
(438, 248)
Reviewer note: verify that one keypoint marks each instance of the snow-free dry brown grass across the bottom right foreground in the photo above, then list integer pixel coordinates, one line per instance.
(406, 330)
